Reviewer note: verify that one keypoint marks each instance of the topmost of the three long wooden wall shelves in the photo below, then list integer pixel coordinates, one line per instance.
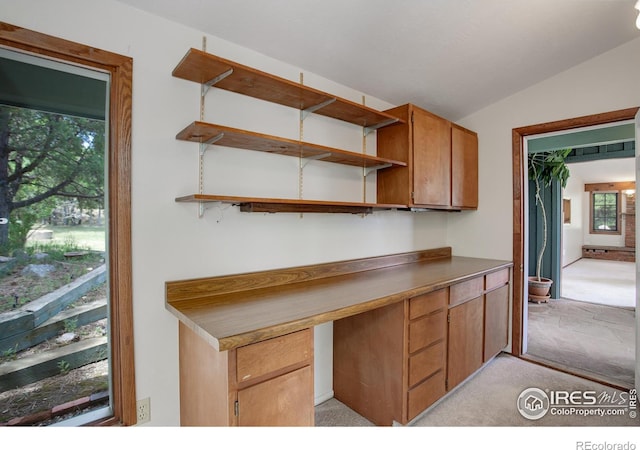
(211, 70)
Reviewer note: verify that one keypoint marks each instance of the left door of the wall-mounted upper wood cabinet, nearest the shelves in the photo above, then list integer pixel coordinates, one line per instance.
(431, 159)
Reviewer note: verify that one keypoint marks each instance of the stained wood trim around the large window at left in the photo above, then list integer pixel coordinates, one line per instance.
(119, 178)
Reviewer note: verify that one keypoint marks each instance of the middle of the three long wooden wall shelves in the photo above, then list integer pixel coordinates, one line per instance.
(207, 133)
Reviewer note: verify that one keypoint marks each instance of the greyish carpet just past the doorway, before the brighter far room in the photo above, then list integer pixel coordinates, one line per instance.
(594, 340)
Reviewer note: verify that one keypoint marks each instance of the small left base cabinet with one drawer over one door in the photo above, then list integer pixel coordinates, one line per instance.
(269, 383)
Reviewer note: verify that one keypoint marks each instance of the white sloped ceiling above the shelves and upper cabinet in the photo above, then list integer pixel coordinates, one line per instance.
(452, 57)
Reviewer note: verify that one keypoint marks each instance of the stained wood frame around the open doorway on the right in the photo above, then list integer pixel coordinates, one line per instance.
(519, 179)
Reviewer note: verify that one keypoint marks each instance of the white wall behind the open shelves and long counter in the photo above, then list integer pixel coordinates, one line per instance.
(169, 240)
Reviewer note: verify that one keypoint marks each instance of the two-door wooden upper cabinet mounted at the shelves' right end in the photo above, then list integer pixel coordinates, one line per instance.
(442, 170)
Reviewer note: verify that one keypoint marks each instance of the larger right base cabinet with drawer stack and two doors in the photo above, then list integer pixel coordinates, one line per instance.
(392, 363)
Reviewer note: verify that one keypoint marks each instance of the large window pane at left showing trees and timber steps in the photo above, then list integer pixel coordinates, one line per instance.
(55, 239)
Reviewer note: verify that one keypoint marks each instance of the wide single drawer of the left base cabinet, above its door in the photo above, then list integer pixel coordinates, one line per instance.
(262, 358)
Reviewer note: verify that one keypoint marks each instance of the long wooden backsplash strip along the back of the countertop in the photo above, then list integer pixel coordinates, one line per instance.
(208, 287)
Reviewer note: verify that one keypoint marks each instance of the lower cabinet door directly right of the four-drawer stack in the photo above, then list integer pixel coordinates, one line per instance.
(465, 349)
